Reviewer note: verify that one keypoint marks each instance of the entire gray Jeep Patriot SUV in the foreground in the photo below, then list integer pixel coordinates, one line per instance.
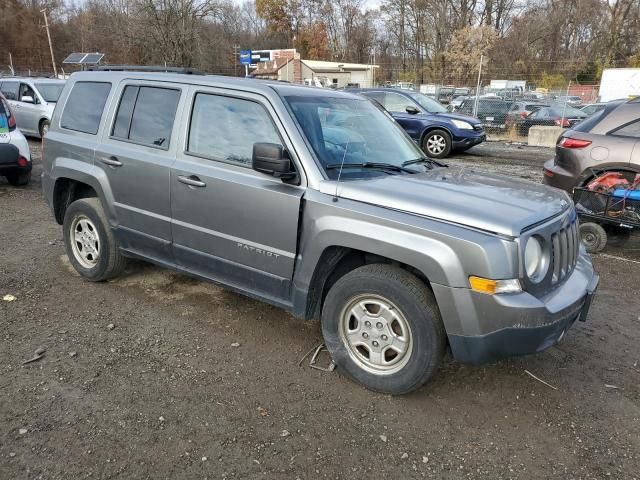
(317, 202)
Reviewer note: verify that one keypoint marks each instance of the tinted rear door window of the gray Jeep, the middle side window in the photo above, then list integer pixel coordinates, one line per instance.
(146, 115)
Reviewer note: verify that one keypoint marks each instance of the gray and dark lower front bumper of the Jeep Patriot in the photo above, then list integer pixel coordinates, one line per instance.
(483, 328)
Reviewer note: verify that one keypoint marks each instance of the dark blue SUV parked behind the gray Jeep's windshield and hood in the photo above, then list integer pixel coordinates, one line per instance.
(428, 123)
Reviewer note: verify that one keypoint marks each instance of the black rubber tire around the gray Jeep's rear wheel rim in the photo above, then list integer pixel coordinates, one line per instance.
(110, 262)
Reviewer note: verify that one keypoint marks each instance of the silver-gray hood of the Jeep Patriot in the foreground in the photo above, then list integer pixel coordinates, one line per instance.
(484, 201)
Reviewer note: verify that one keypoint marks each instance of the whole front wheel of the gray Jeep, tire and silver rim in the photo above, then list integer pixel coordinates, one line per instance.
(383, 328)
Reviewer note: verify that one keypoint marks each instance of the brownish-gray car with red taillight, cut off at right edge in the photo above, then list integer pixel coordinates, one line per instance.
(606, 141)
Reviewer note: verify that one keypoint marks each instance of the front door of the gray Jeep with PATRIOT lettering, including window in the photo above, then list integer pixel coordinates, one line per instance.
(231, 223)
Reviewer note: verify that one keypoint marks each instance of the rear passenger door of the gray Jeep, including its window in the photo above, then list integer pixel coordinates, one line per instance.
(137, 150)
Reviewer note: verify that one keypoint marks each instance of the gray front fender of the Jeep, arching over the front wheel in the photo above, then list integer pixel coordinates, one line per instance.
(444, 253)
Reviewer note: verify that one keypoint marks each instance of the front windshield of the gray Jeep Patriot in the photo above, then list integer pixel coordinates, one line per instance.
(351, 130)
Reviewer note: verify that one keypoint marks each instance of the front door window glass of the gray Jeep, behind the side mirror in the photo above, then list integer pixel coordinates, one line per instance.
(225, 128)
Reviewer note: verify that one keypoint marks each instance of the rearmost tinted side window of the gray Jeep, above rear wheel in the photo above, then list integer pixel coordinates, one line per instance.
(83, 110)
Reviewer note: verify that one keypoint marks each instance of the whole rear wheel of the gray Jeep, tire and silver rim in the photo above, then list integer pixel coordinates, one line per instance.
(89, 241)
